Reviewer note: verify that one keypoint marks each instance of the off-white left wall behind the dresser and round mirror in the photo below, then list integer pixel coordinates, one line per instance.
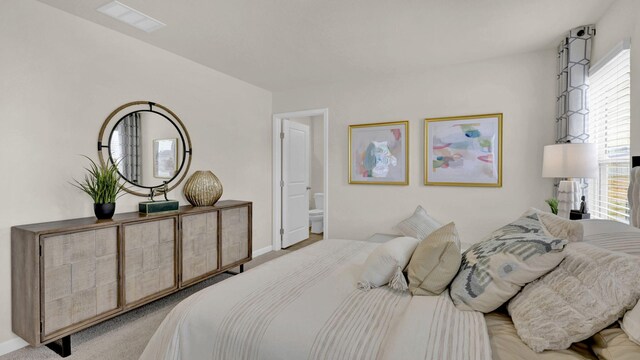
(62, 76)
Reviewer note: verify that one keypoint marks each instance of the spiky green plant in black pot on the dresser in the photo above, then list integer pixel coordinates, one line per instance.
(102, 184)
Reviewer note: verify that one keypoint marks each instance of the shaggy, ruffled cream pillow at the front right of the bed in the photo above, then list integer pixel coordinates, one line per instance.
(587, 292)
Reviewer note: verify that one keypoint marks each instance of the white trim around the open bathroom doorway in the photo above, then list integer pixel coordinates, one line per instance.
(276, 157)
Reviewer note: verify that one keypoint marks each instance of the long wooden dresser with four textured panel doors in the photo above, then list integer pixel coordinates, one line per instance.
(69, 275)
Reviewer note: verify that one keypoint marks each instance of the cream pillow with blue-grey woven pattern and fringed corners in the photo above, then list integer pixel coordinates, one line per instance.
(494, 270)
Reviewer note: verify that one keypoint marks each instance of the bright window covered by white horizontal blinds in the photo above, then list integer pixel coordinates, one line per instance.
(609, 128)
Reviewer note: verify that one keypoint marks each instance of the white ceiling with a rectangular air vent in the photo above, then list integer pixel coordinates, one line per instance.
(281, 45)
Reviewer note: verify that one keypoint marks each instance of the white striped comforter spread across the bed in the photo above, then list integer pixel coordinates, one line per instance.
(305, 305)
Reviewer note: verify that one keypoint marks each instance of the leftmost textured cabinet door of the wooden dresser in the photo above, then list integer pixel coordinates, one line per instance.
(79, 277)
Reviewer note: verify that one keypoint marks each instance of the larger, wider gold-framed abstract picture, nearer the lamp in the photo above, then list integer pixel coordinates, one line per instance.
(463, 151)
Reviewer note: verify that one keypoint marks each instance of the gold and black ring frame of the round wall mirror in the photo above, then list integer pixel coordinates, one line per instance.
(187, 146)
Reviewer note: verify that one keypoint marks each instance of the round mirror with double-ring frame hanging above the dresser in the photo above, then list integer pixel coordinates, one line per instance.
(149, 145)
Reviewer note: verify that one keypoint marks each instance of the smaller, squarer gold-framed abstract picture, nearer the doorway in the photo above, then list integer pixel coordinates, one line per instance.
(379, 153)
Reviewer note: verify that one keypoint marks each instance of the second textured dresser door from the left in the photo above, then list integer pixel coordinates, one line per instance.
(149, 259)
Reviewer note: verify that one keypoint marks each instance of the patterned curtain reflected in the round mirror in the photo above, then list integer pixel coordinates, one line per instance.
(130, 164)
